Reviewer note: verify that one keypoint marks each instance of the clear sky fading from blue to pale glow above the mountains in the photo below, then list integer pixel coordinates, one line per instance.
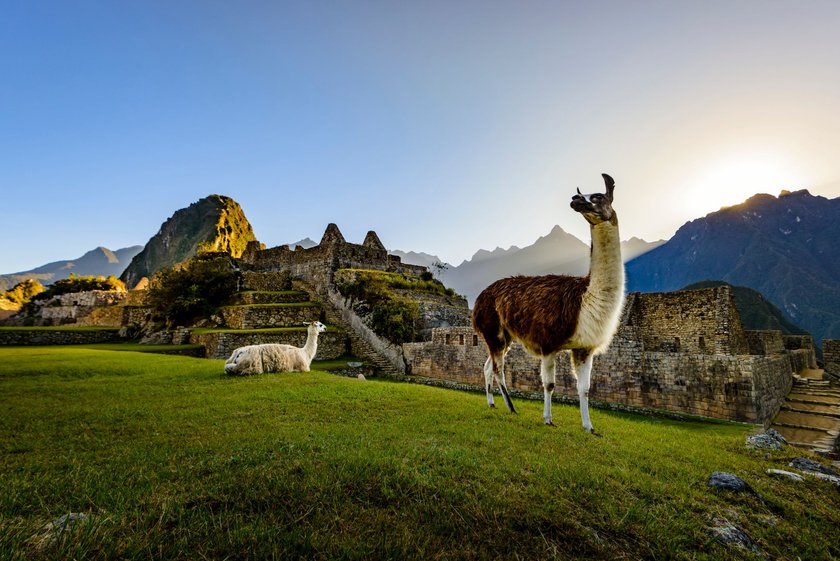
(446, 126)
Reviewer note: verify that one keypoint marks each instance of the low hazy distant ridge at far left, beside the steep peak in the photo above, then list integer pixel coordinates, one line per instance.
(96, 262)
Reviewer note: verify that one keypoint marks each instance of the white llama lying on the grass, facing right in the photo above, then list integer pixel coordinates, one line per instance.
(275, 357)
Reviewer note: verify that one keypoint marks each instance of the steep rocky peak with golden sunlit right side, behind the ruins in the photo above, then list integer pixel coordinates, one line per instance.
(216, 223)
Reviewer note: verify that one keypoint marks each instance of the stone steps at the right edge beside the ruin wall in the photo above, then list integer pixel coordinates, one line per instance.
(810, 416)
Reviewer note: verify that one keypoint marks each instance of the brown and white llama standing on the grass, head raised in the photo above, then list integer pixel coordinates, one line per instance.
(554, 313)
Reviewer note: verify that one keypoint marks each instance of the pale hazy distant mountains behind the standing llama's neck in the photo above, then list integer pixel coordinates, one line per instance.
(558, 252)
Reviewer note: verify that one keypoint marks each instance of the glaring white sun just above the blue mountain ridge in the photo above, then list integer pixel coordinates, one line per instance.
(734, 178)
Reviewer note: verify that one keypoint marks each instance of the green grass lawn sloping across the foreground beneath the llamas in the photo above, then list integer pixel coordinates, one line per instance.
(171, 460)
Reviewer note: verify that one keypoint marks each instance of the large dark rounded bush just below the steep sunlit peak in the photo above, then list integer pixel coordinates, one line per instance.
(192, 290)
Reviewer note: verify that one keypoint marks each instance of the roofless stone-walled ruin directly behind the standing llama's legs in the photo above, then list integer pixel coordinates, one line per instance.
(683, 351)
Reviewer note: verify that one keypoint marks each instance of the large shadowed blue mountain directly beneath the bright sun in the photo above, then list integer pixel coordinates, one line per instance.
(784, 247)
